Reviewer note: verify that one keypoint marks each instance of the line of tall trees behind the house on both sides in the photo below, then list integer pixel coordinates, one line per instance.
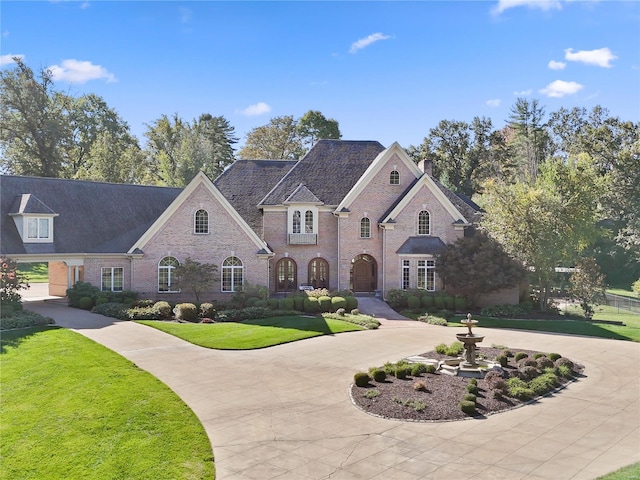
(555, 187)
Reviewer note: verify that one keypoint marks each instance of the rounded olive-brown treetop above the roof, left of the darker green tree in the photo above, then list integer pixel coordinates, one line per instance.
(280, 139)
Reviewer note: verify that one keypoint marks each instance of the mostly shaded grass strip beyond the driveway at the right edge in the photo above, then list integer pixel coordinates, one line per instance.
(631, 330)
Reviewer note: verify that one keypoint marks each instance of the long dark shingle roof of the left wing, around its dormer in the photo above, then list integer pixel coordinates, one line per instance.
(92, 217)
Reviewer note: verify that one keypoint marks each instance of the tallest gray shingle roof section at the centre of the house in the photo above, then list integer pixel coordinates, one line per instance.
(329, 170)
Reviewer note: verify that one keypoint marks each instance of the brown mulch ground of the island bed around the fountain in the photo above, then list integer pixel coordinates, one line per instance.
(442, 397)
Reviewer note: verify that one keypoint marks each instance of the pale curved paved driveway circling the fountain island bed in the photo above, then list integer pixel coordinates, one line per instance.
(284, 412)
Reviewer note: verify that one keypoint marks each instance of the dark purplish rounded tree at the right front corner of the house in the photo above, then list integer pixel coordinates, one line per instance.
(478, 265)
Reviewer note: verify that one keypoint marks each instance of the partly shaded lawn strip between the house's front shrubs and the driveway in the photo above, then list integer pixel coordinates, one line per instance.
(251, 334)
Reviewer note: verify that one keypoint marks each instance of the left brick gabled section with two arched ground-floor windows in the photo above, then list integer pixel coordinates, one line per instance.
(202, 225)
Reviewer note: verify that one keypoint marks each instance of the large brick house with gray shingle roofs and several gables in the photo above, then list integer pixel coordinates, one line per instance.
(348, 215)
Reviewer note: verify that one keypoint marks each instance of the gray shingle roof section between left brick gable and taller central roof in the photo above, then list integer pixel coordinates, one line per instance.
(246, 182)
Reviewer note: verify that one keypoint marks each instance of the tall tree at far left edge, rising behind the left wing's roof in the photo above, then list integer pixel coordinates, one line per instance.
(32, 125)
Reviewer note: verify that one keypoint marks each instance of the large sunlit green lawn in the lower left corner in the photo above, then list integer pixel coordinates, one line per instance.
(74, 409)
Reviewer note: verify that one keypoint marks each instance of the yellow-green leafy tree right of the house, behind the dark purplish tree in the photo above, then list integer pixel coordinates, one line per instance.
(548, 222)
